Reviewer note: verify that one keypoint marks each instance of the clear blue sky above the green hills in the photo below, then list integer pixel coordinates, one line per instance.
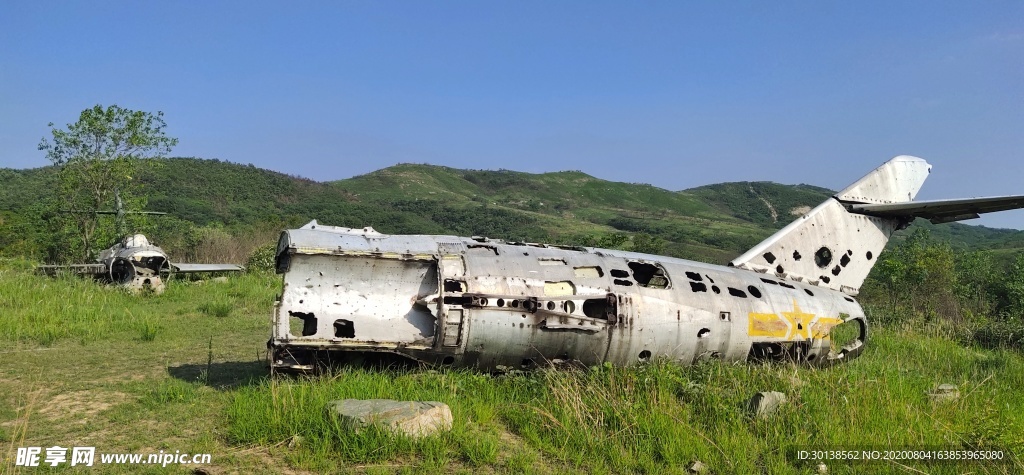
(676, 95)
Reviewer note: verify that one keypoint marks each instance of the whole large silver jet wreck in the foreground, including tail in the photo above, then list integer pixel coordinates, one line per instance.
(492, 305)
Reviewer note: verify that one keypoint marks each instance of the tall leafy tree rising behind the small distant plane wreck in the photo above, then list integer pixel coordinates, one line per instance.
(98, 157)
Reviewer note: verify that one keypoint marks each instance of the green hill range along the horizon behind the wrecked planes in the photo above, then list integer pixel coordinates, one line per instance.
(711, 224)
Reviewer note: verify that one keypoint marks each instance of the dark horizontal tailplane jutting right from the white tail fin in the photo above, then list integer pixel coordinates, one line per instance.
(941, 211)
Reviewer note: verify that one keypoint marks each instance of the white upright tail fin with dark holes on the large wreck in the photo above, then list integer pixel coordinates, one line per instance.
(834, 247)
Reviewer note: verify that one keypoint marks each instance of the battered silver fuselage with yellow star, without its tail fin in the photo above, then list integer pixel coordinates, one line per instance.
(489, 305)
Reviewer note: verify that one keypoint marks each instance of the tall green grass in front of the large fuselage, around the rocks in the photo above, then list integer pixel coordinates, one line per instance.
(661, 417)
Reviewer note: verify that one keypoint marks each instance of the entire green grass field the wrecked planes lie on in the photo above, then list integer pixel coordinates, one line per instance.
(86, 365)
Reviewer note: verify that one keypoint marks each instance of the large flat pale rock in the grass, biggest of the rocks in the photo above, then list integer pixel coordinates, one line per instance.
(415, 419)
